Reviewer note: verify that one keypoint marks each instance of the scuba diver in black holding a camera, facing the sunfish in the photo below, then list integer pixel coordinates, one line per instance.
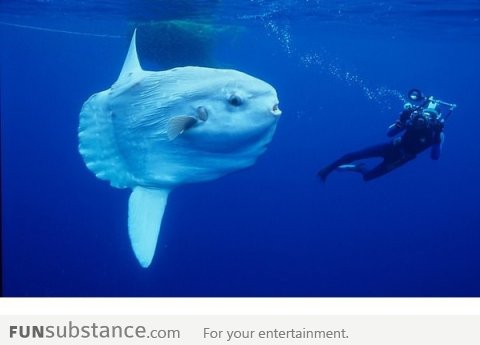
(422, 126)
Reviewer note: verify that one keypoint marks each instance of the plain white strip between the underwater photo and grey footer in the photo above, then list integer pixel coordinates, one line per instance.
(239, 306)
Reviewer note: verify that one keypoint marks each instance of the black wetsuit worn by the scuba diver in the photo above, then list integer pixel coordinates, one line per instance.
(416, 138)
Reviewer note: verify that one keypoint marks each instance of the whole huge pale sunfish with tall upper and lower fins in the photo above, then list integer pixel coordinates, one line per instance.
(153, 131)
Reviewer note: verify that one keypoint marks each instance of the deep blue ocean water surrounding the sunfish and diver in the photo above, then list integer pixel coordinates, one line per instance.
(341, 70)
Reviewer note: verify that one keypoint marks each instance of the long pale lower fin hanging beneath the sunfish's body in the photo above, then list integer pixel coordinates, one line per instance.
(145, 212)
